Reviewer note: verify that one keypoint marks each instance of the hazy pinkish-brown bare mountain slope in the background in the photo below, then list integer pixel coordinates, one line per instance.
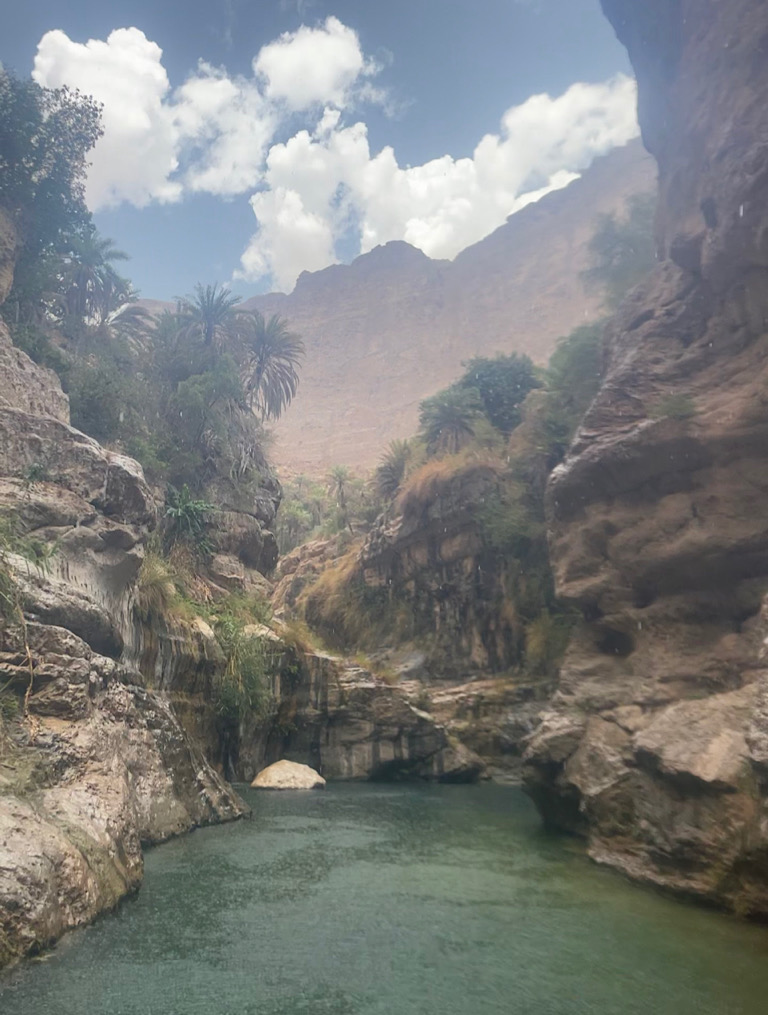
(395, 326)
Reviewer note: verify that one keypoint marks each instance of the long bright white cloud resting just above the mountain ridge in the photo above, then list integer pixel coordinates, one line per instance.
(446, 205)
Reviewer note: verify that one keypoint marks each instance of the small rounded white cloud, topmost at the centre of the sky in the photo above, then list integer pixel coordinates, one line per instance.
(314, 66)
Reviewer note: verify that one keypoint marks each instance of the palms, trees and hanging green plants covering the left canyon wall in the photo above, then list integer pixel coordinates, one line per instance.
(187, 393)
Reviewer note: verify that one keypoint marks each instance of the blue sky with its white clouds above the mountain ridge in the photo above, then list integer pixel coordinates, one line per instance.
(247, 142)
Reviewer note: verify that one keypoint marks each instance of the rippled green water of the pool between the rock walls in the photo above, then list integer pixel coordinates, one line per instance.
(394, 901)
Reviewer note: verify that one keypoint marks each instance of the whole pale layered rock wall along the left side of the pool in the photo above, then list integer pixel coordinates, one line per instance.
(101, 764)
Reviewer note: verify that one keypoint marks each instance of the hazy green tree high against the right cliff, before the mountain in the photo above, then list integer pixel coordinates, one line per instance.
(622, 251)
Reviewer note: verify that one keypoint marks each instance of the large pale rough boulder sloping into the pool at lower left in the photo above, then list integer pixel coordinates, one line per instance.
(102, 768)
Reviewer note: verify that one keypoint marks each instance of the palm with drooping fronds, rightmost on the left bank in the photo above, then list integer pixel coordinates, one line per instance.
(273, 355)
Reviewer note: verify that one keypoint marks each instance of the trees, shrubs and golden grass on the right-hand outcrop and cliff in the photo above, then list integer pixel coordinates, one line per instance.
(473, 477)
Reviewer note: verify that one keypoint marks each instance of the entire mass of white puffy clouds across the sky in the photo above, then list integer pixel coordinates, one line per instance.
(218, 133)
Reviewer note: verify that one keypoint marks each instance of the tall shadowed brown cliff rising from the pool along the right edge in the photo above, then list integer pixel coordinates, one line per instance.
(656, 746)
